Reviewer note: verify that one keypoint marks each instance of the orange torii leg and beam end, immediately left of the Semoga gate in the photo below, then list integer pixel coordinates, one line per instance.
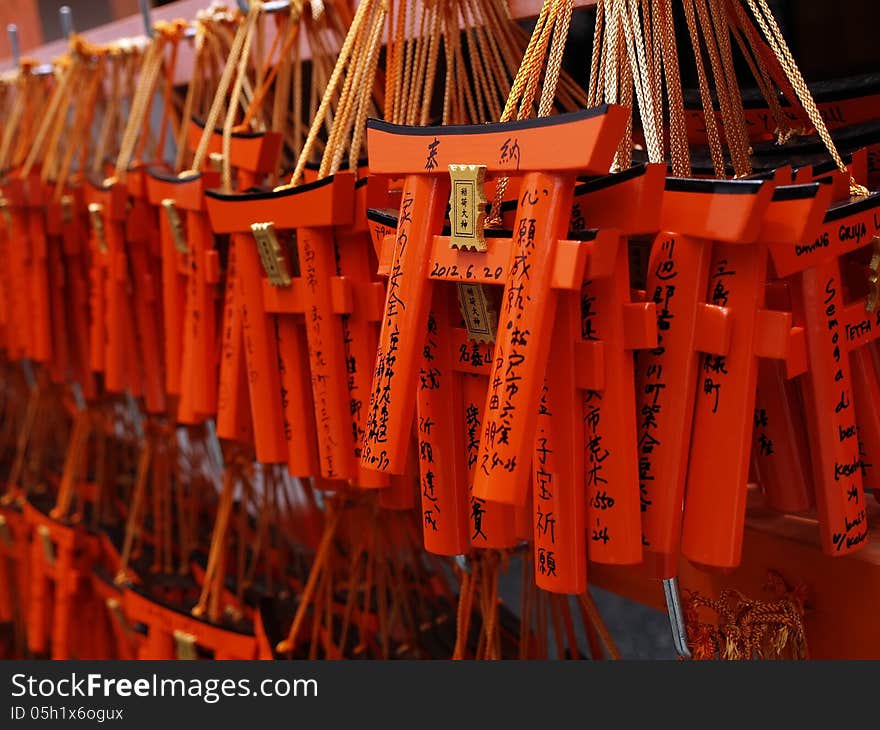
(721, 443)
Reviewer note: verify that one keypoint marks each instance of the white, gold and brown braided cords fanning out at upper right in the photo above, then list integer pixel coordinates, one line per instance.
(635, 57)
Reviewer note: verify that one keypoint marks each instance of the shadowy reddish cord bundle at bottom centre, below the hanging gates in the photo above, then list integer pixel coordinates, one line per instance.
(389, 607)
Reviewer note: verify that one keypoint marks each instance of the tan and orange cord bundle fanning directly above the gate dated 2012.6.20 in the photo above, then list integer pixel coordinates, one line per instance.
(474, 43)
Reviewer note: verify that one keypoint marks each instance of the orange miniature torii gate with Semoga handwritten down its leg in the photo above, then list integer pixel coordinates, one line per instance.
(834, 328)
